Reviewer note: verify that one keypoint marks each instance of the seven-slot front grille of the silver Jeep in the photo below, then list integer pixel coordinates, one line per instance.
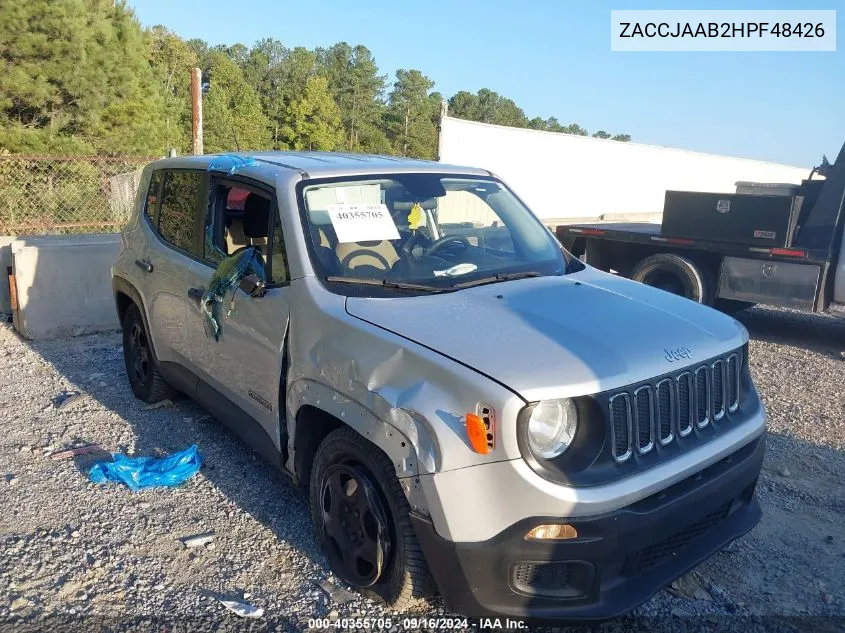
(657, 414)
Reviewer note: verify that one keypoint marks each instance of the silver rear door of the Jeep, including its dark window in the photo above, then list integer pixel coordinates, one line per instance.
(171, 253)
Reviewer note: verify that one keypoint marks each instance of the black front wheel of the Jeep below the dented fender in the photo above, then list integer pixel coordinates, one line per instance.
(361, 520)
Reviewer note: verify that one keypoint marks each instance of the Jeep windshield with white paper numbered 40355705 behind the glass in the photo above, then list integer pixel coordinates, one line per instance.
(425, 232)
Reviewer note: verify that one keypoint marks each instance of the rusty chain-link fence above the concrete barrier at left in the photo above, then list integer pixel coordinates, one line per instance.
(49, 195)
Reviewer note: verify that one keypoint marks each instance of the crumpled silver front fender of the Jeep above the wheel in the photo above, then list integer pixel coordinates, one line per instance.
(376, 381)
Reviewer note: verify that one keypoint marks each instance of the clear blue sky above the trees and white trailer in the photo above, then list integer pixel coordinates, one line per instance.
(553, 58)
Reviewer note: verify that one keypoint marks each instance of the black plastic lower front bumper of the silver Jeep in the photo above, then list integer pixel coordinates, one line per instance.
(619, 560)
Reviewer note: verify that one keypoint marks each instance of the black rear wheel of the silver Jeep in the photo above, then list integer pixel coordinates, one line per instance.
(141, 364)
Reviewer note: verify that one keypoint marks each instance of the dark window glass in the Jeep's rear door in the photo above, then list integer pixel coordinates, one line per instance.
(179, 202)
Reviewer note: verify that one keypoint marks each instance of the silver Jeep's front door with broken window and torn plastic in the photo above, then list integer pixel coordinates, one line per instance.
(244, 365)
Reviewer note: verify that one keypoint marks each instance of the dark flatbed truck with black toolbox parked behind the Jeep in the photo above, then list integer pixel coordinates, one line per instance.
(805, 271)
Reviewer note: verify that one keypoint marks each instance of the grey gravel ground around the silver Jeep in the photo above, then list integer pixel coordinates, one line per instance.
(79, 555)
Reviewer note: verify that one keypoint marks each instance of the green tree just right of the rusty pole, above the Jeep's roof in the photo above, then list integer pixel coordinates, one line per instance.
(232, 115)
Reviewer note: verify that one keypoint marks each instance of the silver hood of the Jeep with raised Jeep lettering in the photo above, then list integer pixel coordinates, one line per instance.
(546, 337)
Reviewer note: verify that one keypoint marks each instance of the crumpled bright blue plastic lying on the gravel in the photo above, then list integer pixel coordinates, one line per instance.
(149, 472)
